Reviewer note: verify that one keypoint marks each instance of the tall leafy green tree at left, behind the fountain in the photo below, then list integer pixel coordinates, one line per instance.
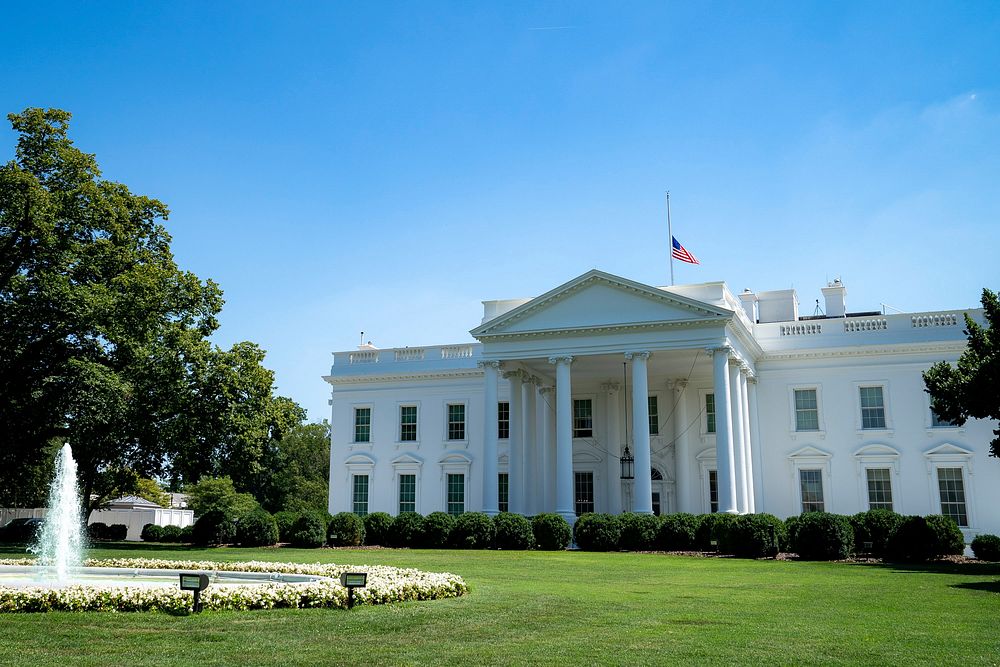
(104, 340)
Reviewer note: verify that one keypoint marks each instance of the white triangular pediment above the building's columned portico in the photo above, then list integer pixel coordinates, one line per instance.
(600, 300)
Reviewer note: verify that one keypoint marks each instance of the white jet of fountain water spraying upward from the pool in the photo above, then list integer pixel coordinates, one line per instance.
(60, 543)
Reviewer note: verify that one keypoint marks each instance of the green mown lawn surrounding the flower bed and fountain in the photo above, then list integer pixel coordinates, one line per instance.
(560, 608)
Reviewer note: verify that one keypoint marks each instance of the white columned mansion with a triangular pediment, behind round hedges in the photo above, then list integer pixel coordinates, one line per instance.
(726, 403)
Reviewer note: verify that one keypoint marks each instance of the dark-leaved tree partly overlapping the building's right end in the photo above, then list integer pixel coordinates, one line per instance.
(971, 388)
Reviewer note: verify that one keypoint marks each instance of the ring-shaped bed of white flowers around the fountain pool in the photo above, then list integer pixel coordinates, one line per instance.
(385, 585)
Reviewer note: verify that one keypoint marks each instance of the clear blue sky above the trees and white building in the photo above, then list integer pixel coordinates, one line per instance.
(384, 167)
